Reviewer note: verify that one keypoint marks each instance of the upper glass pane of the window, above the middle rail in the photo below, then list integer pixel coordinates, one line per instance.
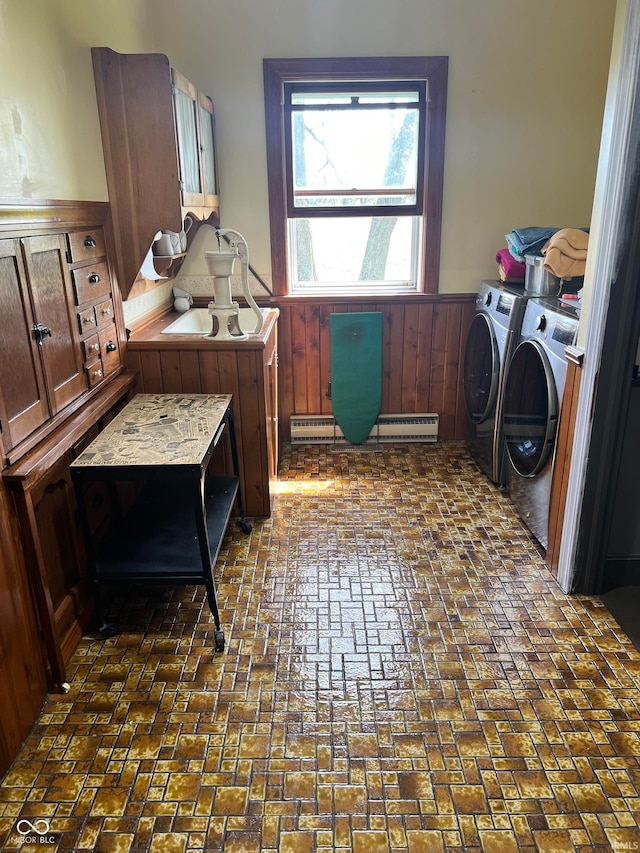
(359, 156)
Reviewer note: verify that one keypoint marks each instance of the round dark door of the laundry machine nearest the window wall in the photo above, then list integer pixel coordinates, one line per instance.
(481, 369)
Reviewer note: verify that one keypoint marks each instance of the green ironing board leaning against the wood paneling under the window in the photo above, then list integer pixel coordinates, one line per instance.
(356, 372)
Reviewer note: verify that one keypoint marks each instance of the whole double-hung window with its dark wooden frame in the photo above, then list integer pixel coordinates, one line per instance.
(355, 158)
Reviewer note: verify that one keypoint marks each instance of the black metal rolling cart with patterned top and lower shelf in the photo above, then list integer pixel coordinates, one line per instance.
(174, 530)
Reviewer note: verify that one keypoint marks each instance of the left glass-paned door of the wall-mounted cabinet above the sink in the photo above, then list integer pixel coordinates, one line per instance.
(185, 98)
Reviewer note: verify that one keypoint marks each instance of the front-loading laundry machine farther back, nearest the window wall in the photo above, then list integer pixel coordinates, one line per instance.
(493, 335)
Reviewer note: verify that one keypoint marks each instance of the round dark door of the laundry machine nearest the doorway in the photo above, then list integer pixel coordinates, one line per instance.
(530, 409)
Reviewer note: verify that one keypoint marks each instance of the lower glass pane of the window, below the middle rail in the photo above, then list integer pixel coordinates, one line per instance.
(353, 251)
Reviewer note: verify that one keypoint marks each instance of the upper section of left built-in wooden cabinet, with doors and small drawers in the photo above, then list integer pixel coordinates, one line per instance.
(55, 295)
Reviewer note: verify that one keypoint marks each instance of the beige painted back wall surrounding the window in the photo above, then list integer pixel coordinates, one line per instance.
(527, 84)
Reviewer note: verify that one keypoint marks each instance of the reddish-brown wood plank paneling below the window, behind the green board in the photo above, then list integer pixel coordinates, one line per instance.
(423, 352)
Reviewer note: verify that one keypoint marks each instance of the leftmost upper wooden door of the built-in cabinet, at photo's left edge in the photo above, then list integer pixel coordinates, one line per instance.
(23, 407)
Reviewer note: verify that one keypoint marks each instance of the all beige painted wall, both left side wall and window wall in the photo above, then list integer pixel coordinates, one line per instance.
(526, 93)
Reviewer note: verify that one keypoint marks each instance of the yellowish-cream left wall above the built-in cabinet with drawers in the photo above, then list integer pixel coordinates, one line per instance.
(50, 144)
